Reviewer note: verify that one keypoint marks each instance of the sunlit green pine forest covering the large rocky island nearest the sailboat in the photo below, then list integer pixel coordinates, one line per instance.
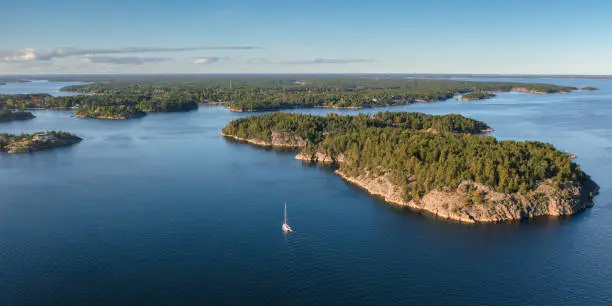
(415, 159)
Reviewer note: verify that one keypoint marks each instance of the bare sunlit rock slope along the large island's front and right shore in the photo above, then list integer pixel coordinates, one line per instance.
(458, 204)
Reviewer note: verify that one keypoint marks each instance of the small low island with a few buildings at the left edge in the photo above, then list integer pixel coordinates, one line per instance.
(24, 143)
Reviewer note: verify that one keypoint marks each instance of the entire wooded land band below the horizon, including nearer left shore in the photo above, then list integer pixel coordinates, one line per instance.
(133, 97)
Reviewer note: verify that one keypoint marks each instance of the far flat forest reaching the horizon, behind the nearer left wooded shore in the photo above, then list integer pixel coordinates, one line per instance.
(257, 93)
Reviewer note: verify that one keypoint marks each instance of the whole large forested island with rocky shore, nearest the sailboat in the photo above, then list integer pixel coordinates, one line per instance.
(434, 164)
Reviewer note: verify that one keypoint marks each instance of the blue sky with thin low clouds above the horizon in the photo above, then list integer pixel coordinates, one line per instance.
(332, 36)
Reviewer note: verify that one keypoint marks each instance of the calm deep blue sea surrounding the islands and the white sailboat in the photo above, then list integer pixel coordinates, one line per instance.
(163, 211)
